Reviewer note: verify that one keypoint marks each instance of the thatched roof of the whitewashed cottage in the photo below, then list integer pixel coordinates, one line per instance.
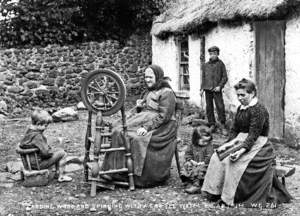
(188, 15)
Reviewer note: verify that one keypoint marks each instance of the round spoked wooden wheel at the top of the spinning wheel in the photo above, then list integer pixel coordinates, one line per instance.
(103, 90)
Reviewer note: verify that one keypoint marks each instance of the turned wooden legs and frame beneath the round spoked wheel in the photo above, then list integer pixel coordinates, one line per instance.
(102, 144)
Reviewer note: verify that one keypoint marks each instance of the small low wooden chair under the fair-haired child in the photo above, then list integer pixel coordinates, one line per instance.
(32, 178)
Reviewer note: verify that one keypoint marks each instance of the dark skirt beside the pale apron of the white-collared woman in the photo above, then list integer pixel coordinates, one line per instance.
(259, 185)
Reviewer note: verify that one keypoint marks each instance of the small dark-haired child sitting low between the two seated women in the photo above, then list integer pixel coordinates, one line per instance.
(197, 157)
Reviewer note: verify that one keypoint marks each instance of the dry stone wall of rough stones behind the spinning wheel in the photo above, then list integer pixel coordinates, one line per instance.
(50, 76)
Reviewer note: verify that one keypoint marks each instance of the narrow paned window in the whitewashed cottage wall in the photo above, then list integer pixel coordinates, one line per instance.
(184, 82)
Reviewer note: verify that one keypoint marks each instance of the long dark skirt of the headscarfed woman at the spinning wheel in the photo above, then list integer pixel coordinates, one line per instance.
(157, 164)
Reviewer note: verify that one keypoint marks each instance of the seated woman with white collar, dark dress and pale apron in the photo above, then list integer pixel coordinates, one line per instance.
(248, 175)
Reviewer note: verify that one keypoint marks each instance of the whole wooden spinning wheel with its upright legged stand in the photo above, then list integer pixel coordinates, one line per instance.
(103, 92)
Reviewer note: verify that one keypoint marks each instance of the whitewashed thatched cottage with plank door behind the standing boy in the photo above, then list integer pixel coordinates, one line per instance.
(258, 39)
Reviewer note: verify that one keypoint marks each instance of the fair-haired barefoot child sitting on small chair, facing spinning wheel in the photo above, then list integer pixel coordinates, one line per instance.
(47, 157)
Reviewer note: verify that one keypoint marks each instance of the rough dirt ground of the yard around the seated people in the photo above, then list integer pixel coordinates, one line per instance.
(74, 199)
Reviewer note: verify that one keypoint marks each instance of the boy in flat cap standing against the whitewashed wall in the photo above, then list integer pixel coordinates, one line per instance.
(214, 77)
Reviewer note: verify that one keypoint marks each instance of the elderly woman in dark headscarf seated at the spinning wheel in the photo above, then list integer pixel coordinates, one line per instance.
(151, 131)
